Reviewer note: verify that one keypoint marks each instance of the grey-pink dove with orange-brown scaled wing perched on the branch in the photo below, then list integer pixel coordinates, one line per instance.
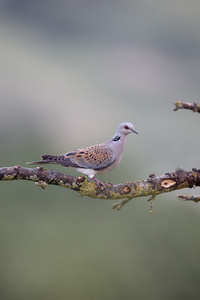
(95, 159)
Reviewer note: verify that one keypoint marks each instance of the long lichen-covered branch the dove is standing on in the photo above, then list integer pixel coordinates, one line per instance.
(152, 186)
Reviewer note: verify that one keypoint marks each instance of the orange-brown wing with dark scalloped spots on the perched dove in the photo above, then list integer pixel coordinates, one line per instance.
(94, 157)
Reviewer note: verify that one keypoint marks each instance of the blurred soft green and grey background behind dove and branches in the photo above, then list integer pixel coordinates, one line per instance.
(71, 71)
